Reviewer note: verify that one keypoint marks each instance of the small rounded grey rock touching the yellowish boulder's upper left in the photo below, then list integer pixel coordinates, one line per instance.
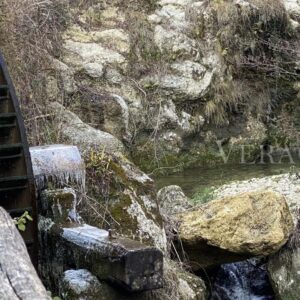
(172, 200)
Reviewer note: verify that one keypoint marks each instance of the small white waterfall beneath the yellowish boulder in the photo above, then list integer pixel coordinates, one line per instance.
(247, 280)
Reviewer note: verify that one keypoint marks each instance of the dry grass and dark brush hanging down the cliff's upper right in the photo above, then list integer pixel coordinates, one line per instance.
(256, 48)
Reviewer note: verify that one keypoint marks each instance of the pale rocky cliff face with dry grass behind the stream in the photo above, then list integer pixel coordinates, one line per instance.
(169, 78)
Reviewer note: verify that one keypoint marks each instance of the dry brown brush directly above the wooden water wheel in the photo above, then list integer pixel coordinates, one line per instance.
(30, 35)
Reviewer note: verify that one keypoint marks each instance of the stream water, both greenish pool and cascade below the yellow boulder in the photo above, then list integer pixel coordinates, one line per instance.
(246, 280)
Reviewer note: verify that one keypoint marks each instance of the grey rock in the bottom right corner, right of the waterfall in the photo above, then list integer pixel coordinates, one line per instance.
(284, 269)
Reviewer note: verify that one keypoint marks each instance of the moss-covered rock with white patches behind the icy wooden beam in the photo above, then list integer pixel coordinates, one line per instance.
(128, 196)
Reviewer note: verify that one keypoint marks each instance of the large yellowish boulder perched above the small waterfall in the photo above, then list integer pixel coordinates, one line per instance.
(232, 228)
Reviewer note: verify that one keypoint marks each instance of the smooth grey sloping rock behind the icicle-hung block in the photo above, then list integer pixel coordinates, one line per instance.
(83, 135)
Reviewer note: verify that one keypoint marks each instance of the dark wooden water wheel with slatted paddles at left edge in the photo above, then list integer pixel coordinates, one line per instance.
(17, 191)
